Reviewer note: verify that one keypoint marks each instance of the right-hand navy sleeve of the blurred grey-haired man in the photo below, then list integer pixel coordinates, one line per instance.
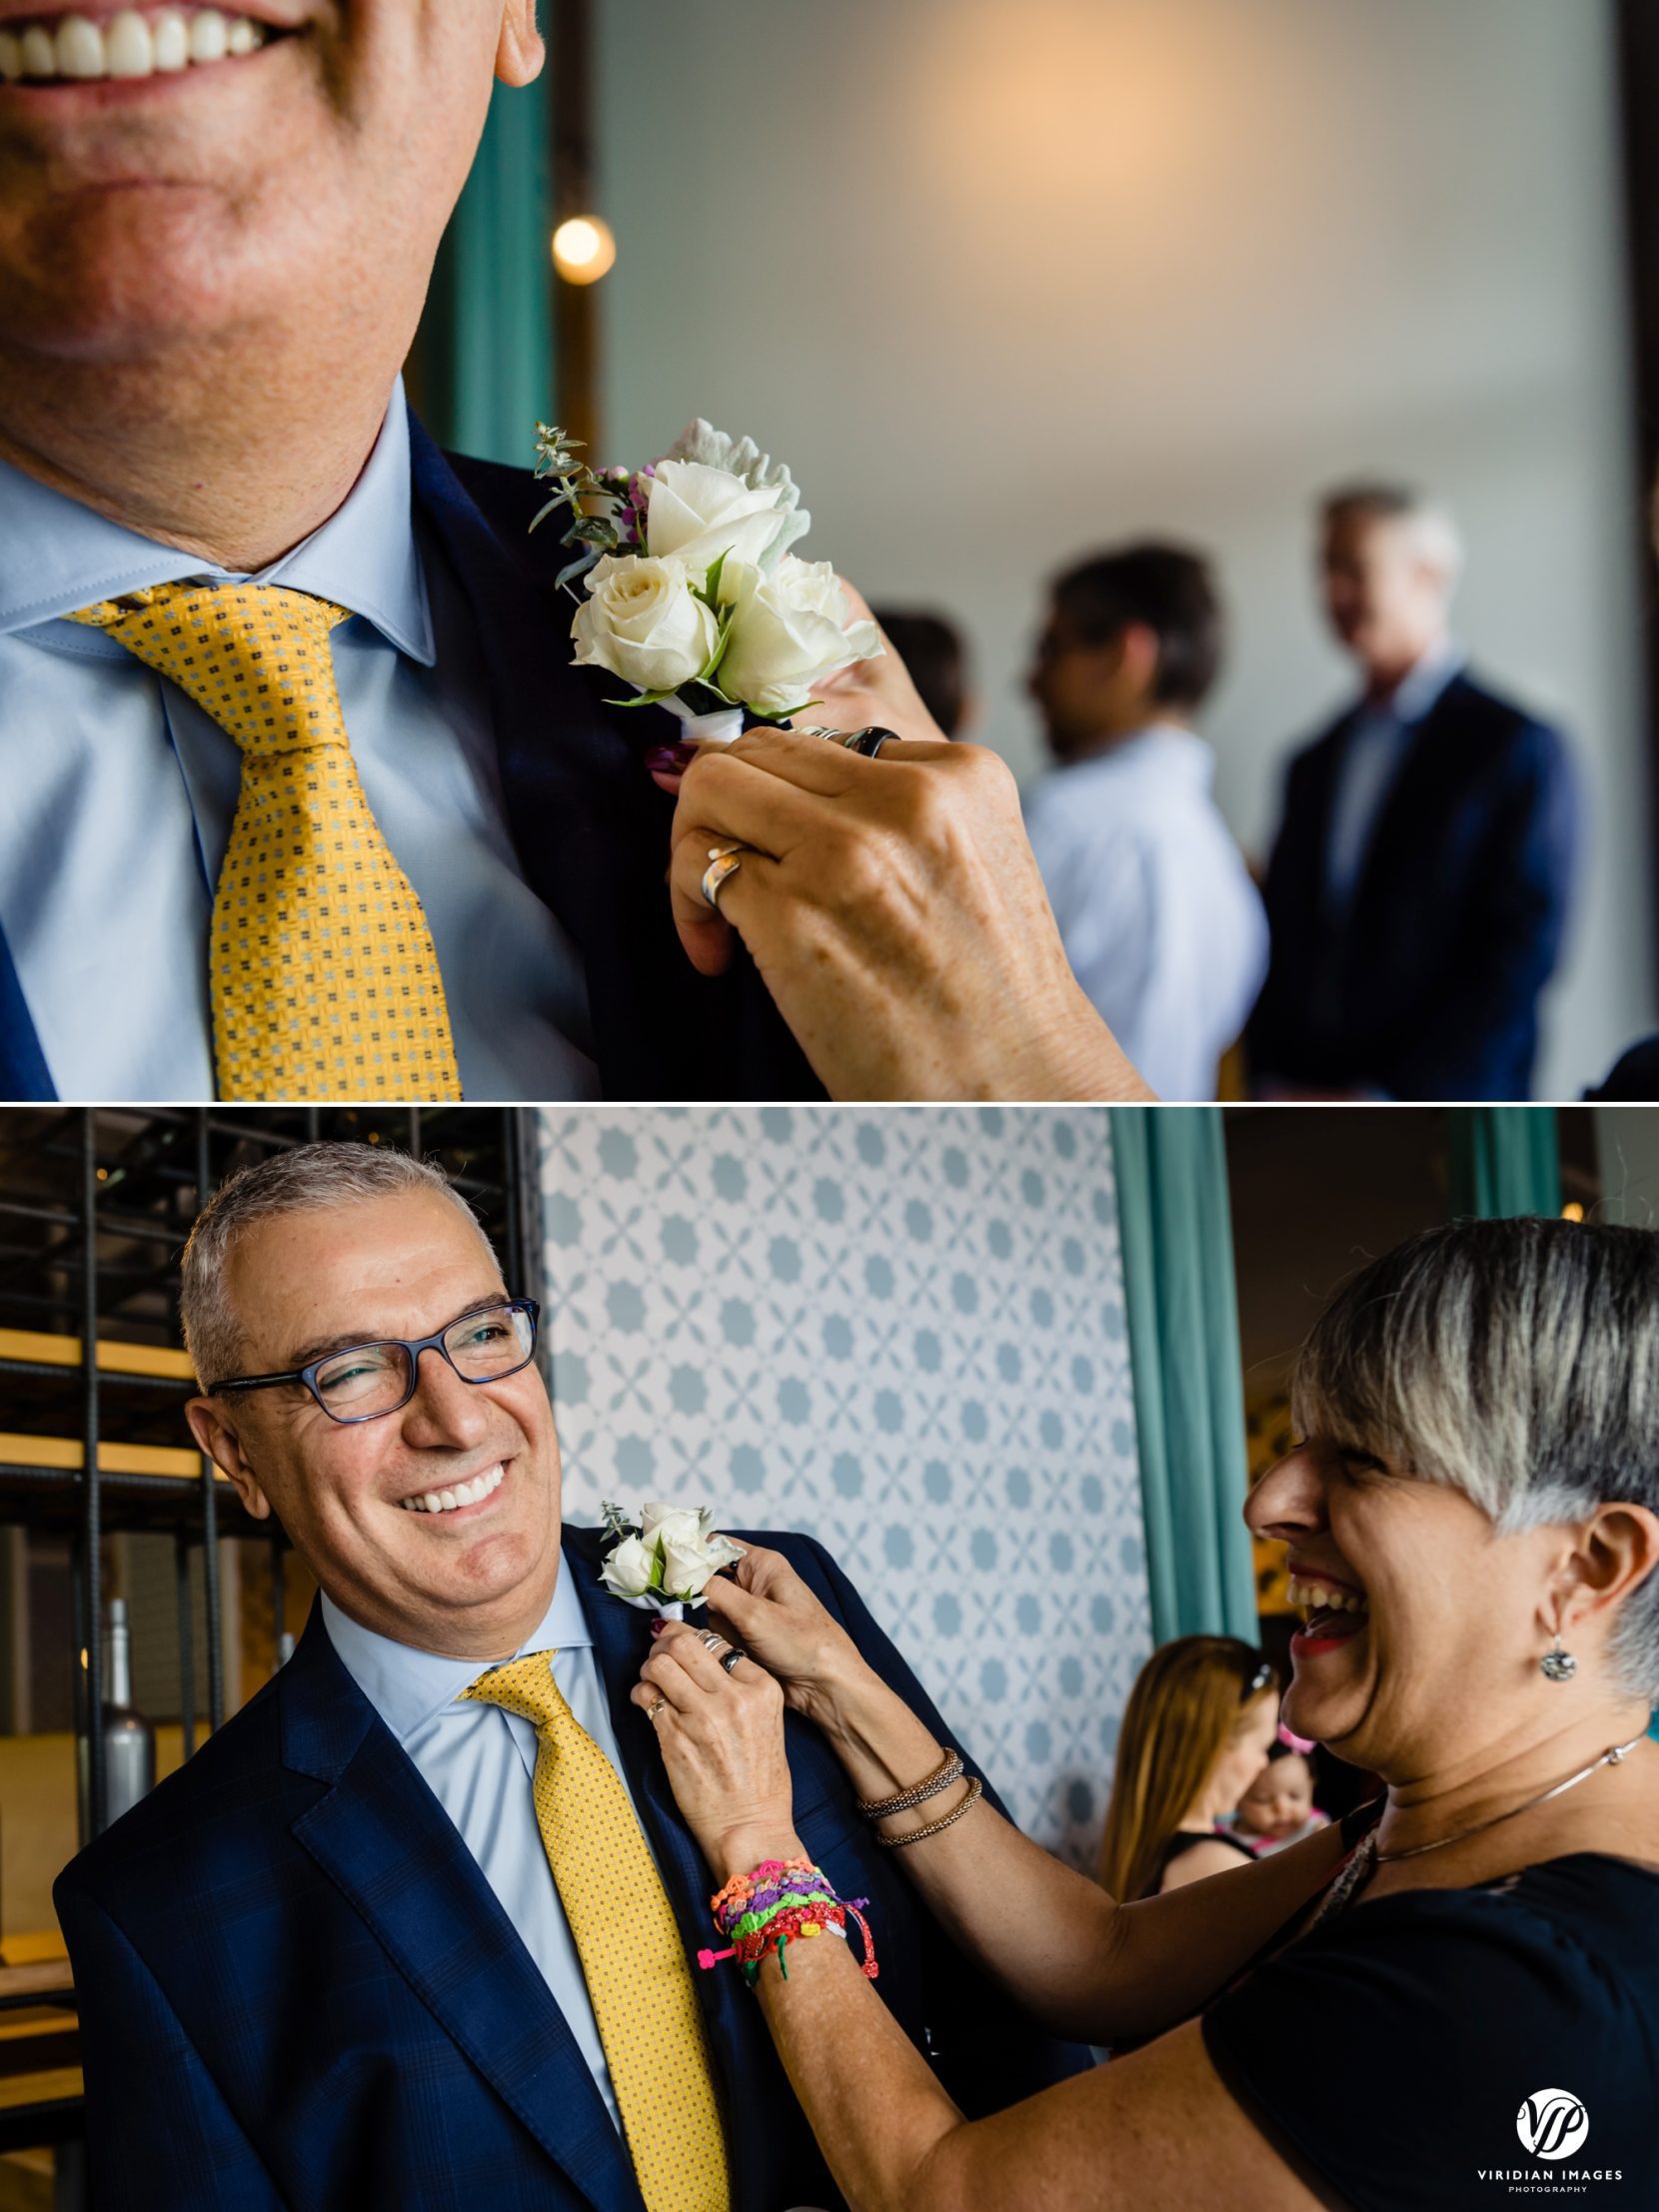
(1503, 959)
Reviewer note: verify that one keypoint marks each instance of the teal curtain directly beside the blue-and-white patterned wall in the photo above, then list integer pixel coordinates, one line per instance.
(1189, 1388)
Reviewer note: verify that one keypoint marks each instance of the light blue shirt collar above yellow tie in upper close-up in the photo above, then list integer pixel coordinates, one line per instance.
(59, 556)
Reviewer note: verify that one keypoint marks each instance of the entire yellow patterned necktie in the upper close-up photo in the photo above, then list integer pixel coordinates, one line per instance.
(322, 966)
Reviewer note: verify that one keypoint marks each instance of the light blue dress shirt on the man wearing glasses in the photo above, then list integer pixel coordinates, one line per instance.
(481, 1762)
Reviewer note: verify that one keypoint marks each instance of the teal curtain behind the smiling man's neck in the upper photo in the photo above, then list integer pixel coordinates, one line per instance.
(481, 373)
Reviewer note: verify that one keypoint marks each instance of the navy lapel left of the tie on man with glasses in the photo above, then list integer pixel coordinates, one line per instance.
(395, 1855)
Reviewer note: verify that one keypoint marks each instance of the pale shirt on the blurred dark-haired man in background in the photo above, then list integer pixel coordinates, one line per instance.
(1160, 919)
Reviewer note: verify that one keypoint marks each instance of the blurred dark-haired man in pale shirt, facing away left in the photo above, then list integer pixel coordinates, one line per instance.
(1156, 908)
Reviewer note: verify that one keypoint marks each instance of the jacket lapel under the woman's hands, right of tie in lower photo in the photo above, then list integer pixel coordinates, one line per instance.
(738, 2041)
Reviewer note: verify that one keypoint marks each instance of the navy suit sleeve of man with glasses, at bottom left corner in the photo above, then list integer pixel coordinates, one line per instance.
(158, 2129)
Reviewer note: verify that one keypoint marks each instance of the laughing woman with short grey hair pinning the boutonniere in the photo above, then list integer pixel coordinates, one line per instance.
(1459, 1990)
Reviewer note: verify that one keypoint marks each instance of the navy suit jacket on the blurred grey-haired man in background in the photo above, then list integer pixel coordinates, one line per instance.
(1428, 988)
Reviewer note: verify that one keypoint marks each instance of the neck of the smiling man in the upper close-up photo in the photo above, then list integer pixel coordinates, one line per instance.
(220, 455)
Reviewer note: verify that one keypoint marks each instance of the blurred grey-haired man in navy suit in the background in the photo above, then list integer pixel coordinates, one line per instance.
(1421, 875)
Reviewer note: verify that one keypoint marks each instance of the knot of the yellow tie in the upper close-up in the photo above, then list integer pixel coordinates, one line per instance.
(253, 656)
